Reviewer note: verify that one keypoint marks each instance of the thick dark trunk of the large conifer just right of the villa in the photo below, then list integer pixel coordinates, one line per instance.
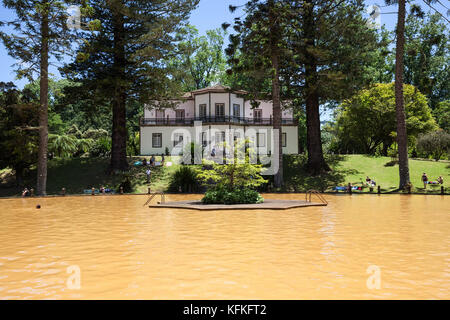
(316, 163)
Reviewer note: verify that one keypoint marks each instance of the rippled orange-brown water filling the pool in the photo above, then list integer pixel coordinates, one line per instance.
(127, 251)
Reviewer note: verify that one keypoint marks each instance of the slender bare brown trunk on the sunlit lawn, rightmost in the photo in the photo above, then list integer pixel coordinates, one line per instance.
(399, 101)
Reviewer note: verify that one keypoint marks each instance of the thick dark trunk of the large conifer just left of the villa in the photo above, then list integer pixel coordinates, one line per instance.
(119, 129)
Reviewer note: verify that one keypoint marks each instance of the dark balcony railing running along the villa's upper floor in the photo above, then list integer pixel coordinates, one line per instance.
(218, 119)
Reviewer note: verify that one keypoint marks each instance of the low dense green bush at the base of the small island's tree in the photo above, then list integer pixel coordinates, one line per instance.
(235, 196)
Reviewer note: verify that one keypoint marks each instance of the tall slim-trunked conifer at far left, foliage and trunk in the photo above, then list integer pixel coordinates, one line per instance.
(40, 32)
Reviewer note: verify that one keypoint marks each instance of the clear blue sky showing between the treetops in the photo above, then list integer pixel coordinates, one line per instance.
(210, 14)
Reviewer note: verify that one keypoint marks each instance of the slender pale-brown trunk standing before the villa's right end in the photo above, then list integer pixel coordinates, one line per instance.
(276, 109)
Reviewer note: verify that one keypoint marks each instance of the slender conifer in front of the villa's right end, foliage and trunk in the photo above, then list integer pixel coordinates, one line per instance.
(260, 37)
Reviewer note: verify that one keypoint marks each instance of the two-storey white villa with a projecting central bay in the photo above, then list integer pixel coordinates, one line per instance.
(210, 116)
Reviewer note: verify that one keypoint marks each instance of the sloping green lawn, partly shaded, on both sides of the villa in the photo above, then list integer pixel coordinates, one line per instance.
(84, 173)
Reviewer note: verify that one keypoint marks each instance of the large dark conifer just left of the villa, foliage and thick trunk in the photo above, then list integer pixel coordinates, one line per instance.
(122, 63)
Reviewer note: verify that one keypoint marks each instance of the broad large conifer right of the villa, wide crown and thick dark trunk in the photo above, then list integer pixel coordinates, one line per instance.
(317, 53)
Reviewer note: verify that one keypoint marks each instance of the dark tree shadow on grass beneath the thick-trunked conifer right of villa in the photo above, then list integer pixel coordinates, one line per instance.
(298, 179)
